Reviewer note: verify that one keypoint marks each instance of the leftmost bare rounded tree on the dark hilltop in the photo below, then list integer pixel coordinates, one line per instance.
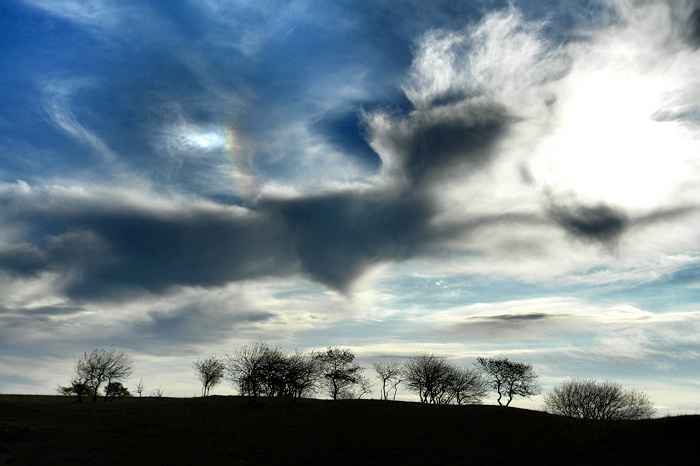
(100, 367)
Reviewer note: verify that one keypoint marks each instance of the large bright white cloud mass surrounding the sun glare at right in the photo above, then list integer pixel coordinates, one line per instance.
(587, 132)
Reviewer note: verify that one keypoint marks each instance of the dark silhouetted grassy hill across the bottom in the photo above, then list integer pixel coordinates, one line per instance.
(228, 430)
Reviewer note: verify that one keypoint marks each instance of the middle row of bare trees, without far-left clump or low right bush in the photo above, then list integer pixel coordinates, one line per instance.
(258, 369)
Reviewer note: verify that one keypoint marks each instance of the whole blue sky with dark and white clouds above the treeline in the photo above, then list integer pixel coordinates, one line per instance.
(469, 178)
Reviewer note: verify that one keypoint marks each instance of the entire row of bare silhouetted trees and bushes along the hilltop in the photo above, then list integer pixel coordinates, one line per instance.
(258, 369)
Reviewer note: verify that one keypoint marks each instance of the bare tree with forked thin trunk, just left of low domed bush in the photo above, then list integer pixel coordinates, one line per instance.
(509, 378)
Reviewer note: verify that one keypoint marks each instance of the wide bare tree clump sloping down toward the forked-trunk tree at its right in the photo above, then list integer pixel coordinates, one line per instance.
(438, 381)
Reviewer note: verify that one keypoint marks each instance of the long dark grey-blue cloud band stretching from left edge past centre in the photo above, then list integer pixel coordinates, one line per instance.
(104, 250)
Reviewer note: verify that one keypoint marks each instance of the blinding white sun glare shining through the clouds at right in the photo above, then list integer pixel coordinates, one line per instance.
(608, 147)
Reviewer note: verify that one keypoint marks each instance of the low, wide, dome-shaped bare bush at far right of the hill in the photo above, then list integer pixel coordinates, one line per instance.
(590, 399)
